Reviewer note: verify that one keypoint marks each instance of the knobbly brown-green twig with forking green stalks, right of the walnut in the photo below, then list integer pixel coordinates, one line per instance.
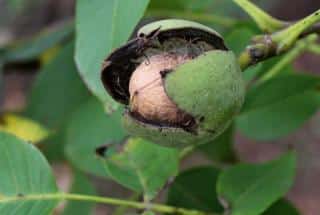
(278, 42)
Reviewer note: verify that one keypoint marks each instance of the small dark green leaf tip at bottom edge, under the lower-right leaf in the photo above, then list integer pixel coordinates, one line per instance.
(282, 207)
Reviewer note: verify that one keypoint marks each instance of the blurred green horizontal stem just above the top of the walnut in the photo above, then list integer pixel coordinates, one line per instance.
(202, 17)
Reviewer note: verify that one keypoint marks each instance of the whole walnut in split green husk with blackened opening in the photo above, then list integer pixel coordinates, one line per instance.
(180, 83)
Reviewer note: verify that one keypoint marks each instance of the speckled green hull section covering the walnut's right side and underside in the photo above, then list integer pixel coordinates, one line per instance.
(210, 88)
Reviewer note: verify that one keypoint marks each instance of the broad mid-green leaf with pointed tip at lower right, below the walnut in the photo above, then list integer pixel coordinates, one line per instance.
(249, 189)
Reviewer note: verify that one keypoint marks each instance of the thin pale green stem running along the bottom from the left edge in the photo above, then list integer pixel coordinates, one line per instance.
(105, 200)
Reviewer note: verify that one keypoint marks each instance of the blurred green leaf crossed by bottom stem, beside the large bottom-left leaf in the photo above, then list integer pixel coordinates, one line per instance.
(81, 185)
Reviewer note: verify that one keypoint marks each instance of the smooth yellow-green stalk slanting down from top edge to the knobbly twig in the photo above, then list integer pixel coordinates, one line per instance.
(265, 22)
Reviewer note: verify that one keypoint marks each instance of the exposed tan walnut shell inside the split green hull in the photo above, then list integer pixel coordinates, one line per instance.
(147, 93)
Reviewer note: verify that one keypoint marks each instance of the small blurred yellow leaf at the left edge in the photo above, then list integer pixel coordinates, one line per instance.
(23, 128)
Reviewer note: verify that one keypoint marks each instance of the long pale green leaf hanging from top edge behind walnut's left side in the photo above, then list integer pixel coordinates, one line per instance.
(101, 26)
